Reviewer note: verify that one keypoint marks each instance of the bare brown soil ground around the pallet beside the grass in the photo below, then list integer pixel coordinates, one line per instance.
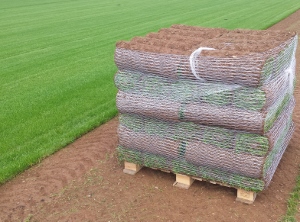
(85, 182)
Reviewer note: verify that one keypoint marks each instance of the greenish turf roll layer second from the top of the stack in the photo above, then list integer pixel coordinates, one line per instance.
(247, 98)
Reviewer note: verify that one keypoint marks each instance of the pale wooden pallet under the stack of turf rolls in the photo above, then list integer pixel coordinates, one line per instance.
(184, 181)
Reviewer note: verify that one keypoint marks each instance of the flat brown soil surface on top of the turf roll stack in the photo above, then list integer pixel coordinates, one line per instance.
(183, 40)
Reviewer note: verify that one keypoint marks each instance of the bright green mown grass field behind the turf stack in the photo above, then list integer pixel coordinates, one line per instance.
(57, 68)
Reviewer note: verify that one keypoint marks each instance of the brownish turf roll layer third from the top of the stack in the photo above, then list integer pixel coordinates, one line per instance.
(203, 113)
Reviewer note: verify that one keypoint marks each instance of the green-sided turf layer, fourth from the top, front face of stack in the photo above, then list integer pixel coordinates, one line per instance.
(186, 131)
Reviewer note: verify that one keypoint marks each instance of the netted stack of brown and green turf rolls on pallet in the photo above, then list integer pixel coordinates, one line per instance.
(210, 103)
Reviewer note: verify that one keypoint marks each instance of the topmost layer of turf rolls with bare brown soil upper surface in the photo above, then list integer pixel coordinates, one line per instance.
(244, 57)
